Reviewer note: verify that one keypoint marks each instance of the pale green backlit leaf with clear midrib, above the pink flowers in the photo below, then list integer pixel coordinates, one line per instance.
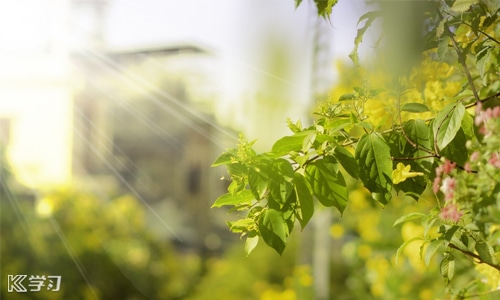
(447, 123)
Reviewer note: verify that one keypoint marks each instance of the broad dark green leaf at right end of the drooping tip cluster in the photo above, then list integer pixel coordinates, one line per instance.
(328, 184)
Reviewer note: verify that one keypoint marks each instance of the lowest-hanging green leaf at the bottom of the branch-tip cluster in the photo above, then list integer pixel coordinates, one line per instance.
(273, 229)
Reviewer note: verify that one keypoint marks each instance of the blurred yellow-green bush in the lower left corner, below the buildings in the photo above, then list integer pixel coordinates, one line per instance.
(102, 249)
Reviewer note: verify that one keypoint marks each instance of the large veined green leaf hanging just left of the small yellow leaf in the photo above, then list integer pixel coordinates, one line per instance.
(375, 166)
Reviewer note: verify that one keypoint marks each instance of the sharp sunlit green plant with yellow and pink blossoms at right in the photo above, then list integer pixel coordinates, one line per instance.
(418, 122)
